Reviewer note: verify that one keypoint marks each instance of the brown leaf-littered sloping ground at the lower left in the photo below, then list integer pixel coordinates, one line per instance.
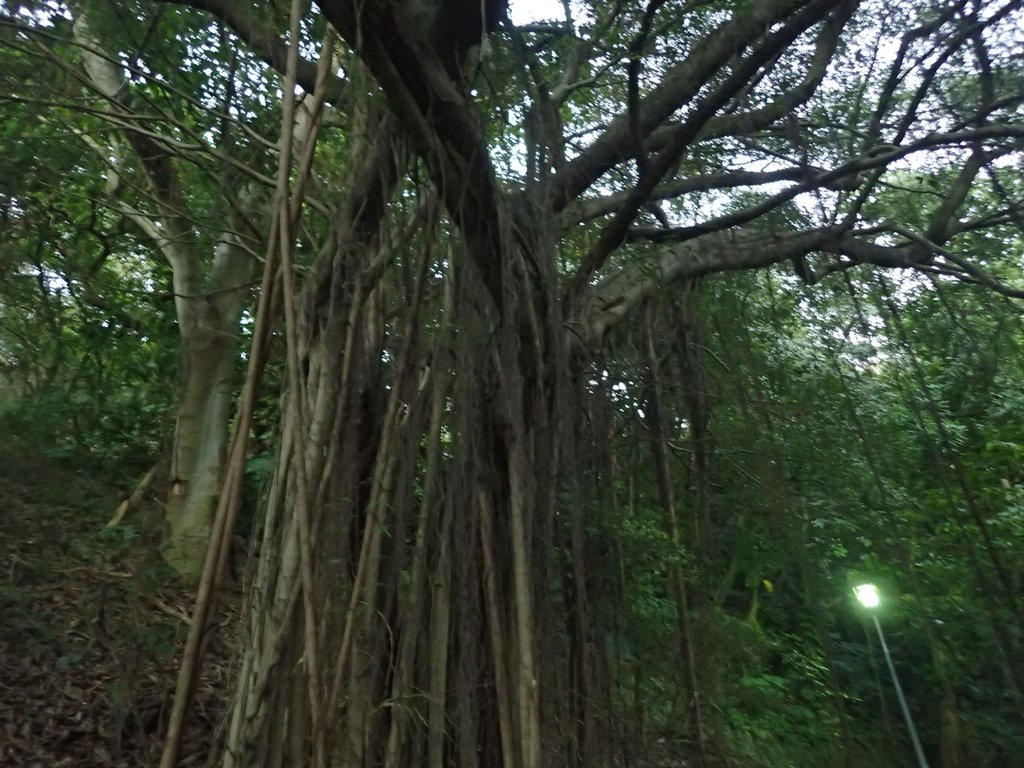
(92, 628)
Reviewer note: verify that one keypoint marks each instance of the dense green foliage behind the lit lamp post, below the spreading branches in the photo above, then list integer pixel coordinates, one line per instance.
(832, 463)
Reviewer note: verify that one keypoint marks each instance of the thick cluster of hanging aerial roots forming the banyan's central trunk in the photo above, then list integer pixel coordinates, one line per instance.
(377, 404)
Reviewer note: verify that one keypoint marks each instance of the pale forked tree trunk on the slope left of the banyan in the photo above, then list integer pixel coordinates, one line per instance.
(208, 305)
